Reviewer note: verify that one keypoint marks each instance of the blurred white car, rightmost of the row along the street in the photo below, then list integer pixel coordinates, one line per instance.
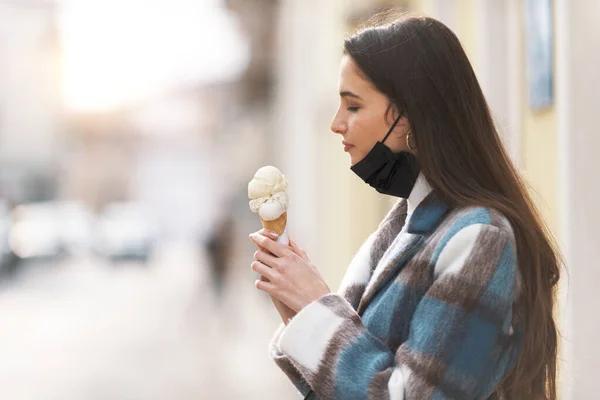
(125, 232)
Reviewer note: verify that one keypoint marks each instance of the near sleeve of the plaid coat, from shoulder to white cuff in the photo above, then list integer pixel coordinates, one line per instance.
(460, 340)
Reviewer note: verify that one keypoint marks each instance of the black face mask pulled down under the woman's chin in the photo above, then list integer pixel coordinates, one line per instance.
(387, 172)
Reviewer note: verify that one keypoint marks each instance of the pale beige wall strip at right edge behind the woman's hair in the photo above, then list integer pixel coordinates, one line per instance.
(579, 85)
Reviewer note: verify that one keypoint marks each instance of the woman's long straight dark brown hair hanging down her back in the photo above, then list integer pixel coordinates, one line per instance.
(420, 65)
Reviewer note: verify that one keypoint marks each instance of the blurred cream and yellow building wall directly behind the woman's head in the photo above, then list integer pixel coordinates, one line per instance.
(554, 147)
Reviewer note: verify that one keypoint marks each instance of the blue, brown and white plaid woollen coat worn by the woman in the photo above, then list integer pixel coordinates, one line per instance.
(434, 321)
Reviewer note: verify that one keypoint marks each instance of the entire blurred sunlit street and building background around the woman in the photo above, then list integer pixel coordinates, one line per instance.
(129, 130)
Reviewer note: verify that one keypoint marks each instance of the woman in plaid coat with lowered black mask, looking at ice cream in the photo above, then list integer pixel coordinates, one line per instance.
(452, 296)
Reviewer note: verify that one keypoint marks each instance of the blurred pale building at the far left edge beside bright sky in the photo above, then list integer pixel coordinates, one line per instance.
(30, 100)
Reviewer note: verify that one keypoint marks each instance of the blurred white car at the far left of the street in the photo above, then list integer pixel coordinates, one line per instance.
(35, 232)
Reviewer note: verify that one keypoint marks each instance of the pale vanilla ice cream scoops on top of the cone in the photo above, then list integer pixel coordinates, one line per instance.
(267, 193)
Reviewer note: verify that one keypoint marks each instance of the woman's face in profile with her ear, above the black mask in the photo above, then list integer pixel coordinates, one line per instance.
(361, 117)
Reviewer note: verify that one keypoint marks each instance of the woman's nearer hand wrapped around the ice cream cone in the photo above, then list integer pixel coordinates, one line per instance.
(292, 278)
